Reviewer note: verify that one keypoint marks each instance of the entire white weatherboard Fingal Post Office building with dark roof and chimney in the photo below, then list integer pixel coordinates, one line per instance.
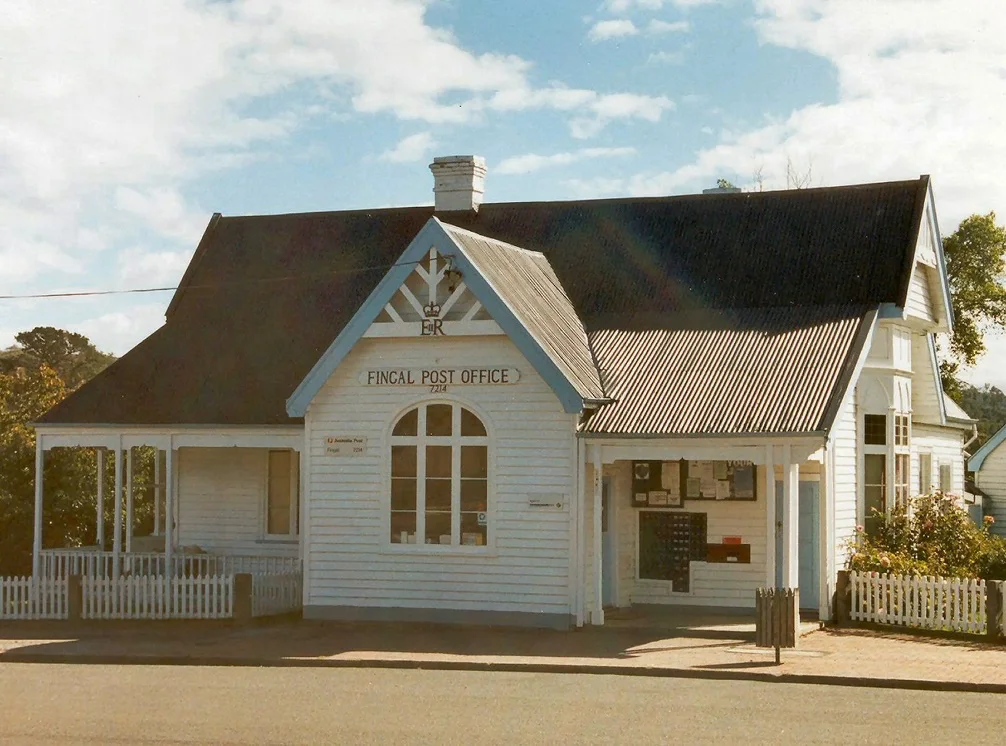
(528, 413)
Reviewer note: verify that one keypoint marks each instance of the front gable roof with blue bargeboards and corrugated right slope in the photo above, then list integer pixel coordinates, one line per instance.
(518, 289)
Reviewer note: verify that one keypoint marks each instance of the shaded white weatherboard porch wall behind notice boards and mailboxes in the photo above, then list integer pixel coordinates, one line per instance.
(713, 585)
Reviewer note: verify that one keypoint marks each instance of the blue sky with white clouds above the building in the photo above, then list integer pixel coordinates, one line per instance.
(125, 126)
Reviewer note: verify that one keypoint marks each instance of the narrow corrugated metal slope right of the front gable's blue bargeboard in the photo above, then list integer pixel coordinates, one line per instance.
(527, 283)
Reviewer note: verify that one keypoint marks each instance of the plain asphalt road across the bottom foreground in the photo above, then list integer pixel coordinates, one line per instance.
(51, 704)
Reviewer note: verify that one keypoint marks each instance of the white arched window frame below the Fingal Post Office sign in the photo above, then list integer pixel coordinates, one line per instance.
(421, 441)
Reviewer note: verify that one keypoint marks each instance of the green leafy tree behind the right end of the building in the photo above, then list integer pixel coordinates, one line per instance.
(976, 260)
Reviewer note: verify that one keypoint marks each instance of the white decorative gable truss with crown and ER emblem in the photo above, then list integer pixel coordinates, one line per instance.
(434, 302)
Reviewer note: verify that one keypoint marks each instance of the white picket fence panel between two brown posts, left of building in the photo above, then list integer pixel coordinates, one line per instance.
(158, 598)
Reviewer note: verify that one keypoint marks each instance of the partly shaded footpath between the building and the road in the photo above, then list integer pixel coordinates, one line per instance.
(841, 657)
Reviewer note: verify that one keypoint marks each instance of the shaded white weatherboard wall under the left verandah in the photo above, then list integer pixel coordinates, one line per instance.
(222, 497)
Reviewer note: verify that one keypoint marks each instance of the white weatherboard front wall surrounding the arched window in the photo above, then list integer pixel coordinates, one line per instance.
(351, 561)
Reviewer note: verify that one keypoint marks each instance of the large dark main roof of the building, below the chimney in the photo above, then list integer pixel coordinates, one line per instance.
(265, 296)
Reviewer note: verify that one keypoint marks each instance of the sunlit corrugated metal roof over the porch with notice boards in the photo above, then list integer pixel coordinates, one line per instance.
(758, 371)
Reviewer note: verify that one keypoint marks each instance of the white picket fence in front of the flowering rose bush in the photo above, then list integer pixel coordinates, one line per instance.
(955, 605)
